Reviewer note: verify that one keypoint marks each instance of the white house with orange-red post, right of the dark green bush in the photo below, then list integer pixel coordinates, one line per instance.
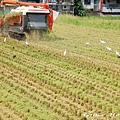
(104, 6)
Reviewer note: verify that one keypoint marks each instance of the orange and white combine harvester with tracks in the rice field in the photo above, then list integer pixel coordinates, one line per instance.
(19, 17)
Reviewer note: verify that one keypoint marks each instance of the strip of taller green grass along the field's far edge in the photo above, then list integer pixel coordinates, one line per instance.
(106, 22)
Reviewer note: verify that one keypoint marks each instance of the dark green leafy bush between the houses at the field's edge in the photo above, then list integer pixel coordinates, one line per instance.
(78, 8)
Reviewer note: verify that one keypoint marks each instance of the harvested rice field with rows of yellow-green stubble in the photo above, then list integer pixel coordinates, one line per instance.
(71, 73)
